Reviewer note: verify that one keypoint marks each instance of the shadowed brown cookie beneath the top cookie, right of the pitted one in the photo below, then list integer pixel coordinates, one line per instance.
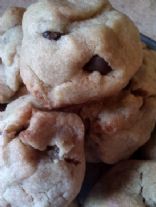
(117, 127)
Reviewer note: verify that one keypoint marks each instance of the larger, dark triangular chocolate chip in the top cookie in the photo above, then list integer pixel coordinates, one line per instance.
(97, 64)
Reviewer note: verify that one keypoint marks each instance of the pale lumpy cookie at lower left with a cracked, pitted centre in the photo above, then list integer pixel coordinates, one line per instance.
(41, 156)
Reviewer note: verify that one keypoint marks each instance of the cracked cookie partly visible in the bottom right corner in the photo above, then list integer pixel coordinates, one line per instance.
(128, 184)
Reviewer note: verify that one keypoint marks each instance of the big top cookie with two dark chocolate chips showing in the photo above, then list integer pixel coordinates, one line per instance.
(77, 51)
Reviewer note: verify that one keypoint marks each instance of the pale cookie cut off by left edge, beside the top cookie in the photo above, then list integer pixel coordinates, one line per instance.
(10, 43)
